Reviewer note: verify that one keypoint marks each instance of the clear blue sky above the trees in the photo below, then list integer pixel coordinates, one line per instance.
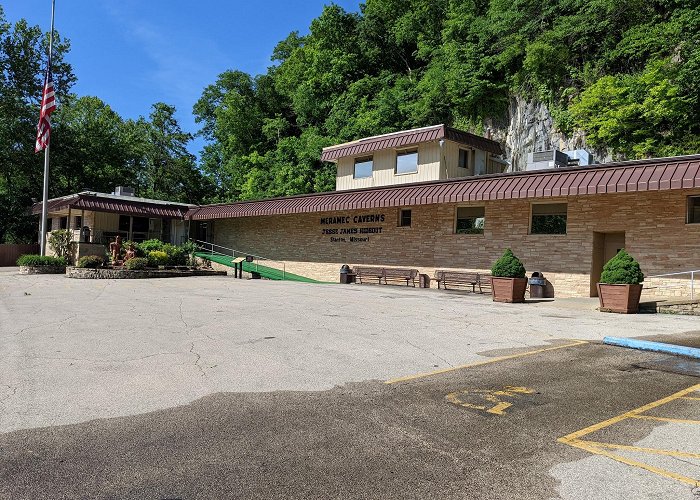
(133, 53)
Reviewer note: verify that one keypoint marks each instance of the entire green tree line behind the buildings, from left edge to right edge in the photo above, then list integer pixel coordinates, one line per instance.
(621, 72)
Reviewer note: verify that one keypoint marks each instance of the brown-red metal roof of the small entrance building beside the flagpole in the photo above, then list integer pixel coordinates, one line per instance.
(100, 202)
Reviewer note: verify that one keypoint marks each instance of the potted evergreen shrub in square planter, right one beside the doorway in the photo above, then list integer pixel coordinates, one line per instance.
(620, 285)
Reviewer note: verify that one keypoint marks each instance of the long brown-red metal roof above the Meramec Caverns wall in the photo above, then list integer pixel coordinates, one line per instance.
(641, 175)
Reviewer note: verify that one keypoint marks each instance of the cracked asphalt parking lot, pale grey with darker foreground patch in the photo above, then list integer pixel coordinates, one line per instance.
(217, 388)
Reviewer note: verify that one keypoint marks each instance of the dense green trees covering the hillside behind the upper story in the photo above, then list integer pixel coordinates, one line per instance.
(624, 72)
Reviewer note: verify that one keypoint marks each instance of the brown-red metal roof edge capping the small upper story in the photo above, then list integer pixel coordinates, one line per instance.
(409, 138)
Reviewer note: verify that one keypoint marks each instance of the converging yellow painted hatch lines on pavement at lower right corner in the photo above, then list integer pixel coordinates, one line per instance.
(574, 439)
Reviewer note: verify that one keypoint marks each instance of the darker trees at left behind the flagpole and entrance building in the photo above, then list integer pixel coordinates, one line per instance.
(91, 145)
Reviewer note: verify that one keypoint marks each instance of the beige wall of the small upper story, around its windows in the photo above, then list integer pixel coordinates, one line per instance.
(430, 168)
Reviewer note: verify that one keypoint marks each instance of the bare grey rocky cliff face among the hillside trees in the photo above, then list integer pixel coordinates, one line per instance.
(529, 127)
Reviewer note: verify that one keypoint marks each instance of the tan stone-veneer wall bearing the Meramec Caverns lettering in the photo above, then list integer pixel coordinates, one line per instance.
(653, 222)
